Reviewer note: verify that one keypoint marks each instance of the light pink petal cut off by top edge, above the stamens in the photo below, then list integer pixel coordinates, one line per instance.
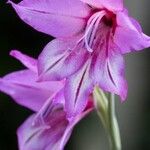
(113, 5)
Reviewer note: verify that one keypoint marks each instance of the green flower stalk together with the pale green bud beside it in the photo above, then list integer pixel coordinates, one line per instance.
(106, 112)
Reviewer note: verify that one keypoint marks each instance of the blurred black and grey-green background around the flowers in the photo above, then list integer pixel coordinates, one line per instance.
(133, 115)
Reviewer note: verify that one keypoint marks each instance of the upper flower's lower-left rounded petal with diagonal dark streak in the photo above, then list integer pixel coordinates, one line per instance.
(60, 59)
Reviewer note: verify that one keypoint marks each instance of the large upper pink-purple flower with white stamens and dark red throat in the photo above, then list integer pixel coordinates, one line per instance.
(92, 36)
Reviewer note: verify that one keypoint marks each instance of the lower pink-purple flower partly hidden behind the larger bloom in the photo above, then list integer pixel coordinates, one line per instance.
(49, 127)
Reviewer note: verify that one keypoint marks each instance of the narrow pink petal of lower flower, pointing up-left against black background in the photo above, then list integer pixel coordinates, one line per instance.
(27, 61)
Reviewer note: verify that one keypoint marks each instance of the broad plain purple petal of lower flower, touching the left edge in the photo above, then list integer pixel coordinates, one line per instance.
(24, 89)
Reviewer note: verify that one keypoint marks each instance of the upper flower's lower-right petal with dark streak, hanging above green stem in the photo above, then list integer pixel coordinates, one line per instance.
(109, 72)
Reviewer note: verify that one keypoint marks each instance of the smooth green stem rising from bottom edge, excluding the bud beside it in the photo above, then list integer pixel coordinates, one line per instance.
(115, 140)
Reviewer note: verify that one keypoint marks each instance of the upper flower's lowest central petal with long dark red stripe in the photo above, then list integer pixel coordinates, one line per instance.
(78, 87)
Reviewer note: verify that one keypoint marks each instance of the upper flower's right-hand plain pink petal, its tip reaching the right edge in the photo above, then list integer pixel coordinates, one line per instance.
(128, 35)
